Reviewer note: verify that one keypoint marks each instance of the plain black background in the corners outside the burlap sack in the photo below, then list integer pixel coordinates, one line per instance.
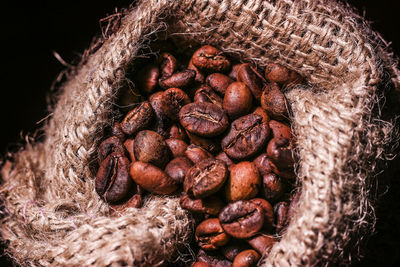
(32, 31)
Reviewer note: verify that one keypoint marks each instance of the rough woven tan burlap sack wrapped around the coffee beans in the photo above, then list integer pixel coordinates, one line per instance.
(53, 216)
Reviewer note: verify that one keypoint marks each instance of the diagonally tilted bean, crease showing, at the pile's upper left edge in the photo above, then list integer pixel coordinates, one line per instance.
(138, 118)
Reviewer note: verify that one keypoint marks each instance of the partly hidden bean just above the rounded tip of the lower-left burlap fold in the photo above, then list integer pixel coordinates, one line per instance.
(211, 205)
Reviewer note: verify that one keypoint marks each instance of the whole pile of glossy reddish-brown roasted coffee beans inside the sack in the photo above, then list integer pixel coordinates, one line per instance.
(216, 133)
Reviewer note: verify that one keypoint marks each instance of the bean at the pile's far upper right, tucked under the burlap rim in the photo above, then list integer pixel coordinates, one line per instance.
(283, 76)
